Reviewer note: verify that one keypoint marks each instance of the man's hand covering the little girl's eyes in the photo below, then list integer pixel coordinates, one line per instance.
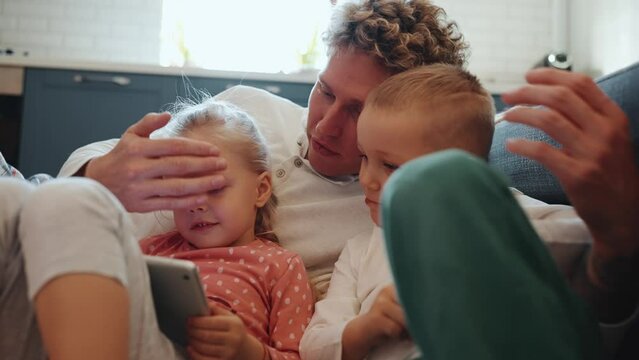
(158, 174)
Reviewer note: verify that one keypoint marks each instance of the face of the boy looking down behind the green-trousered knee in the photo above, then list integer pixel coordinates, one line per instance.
(387, 139)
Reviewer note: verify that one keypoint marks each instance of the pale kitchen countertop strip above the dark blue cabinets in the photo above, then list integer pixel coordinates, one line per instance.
(306, 77)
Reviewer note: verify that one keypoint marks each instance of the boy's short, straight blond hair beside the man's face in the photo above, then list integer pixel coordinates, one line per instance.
(459, 111)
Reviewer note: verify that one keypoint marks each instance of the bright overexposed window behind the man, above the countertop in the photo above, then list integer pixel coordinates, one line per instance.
(250, 35)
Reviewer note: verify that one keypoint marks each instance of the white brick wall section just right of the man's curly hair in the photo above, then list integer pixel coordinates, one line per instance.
(507, 37)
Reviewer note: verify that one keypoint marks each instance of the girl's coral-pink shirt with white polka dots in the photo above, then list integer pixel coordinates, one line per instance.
(261, 282)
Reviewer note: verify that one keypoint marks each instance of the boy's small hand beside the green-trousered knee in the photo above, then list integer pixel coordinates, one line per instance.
(385, 320)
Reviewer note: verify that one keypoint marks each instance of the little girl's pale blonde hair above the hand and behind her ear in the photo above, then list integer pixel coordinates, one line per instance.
(231, 125)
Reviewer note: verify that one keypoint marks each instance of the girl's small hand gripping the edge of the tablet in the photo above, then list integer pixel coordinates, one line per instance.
(221, 335)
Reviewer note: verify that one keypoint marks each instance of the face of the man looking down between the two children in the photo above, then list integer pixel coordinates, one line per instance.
(334, 105)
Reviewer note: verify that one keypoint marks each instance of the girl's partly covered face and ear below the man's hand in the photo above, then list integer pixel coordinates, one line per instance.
(228, 216)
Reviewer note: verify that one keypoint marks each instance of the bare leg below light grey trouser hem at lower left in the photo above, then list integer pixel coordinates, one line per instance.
(84, 316)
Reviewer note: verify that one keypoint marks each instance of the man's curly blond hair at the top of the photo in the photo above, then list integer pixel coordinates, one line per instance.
(401, 34)
